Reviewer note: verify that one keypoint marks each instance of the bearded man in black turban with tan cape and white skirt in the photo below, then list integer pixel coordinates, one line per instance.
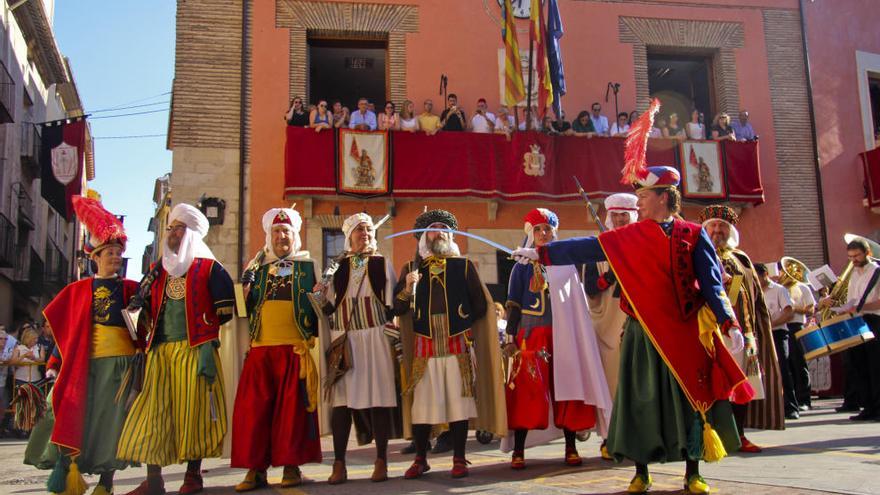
(450, 345)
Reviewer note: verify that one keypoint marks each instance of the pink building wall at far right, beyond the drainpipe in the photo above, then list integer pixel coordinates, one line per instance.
(852, 25)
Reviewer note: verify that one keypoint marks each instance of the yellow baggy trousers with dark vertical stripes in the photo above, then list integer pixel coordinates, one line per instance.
(178, 415)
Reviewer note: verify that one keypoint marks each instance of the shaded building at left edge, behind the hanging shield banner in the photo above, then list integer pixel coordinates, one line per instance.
(39, 246)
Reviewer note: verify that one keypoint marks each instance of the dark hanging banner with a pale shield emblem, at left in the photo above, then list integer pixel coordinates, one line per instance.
(61, 157)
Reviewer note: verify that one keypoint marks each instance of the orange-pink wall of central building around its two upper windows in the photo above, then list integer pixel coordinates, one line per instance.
(461, 39)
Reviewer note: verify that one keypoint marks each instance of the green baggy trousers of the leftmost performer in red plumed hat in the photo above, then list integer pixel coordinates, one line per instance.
(104, 420)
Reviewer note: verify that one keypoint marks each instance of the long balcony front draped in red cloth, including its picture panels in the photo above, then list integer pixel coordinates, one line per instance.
(530, 166)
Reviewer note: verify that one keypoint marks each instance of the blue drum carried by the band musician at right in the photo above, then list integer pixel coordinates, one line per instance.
(834, 335)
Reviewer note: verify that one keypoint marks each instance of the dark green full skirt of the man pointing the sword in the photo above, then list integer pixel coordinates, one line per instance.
(652, 418)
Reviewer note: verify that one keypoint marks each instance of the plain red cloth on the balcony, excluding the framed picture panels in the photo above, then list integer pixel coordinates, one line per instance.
(528, 166)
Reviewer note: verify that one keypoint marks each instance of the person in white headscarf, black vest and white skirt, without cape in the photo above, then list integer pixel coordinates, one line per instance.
(357, 349)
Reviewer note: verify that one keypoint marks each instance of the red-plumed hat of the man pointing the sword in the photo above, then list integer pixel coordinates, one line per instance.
(634, 171)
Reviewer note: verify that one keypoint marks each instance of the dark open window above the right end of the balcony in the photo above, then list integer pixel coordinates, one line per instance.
(682, 81)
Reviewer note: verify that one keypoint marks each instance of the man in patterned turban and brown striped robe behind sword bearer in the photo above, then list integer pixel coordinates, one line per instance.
(758, 358)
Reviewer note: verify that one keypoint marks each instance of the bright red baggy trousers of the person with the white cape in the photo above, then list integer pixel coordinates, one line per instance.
(529, 390)
